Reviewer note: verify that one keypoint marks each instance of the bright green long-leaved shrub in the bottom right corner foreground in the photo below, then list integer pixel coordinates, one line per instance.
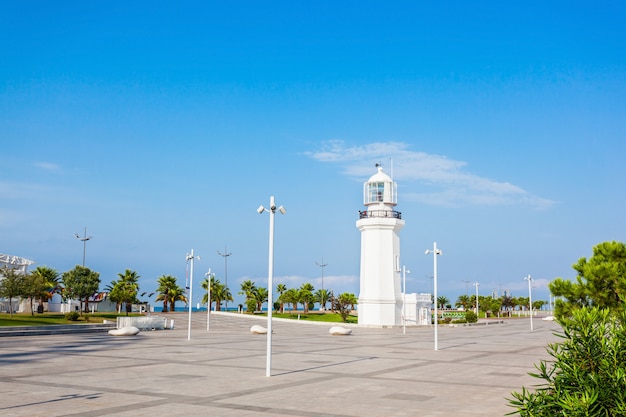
(587, 373)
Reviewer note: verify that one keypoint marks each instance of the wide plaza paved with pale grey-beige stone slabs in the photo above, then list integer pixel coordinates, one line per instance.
(373, 372)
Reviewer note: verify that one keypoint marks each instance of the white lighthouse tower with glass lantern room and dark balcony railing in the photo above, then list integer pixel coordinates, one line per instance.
(380, 297)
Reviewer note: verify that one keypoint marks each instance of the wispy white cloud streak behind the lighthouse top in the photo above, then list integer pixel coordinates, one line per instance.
(443, 181)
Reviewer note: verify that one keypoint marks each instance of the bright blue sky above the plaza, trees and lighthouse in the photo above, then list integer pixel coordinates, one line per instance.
(162, 126)
